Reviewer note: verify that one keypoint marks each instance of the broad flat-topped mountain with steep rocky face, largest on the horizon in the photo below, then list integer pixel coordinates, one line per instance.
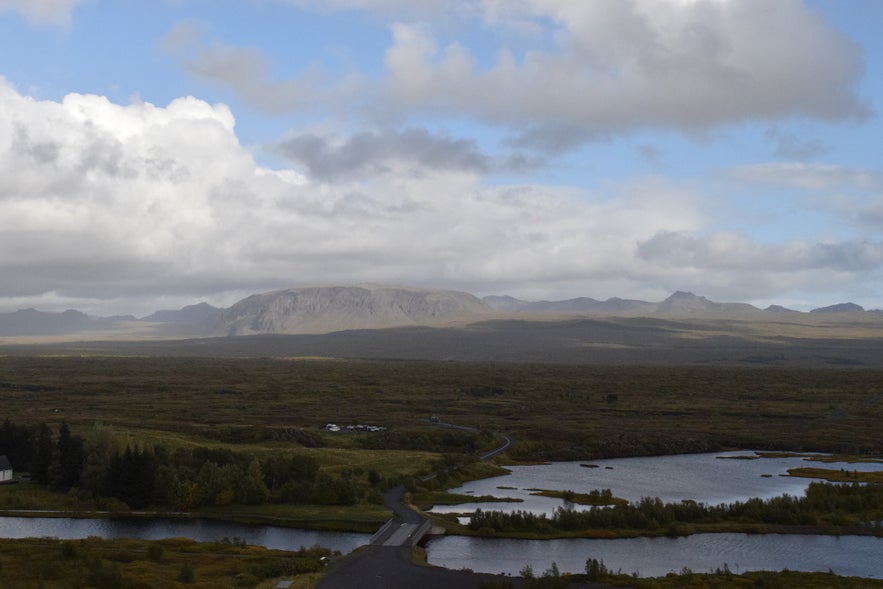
(325, 309)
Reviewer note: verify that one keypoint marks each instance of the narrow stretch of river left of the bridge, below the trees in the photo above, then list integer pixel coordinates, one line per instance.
(199, 530)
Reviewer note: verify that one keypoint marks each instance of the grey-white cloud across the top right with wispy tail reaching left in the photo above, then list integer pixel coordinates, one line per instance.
(589, 70)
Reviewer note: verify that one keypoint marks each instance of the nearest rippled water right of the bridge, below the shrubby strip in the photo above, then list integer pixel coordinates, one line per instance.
(653, 557)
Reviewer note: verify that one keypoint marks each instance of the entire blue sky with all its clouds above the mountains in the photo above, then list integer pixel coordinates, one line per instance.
(159, 153)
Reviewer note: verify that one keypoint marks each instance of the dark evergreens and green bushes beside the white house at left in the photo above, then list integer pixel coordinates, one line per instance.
(100, 465)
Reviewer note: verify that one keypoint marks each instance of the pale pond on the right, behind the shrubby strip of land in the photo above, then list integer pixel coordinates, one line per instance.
(710, 478)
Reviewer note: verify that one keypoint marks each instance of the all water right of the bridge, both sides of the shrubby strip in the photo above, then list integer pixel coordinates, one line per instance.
(699, 477)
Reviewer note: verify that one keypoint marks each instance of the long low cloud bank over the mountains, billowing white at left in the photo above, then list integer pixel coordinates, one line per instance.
(110, 208)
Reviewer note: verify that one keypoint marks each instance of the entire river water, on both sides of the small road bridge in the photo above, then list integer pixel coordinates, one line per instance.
(709, 478)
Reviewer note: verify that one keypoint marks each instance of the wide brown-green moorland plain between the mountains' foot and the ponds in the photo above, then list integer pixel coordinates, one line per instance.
(553, 411)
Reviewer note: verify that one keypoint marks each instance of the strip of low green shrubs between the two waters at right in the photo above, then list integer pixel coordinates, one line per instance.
(822, 504)
